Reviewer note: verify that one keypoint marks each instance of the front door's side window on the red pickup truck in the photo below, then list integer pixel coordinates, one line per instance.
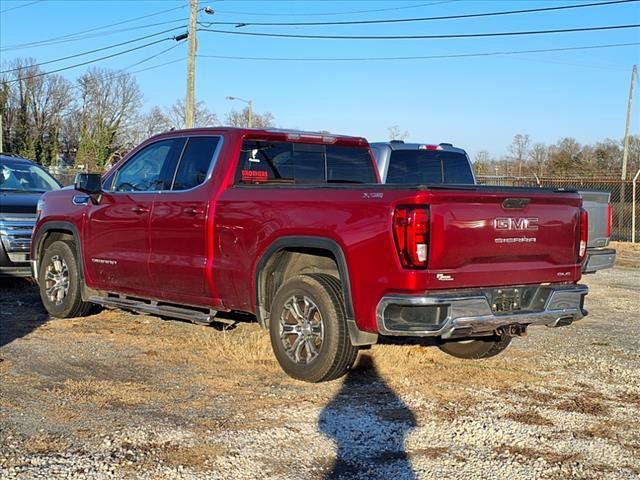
(146, 170)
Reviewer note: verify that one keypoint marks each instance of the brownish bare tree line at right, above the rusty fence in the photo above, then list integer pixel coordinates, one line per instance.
(567, 157)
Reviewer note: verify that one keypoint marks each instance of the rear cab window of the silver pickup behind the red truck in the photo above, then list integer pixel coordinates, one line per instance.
(429, 166)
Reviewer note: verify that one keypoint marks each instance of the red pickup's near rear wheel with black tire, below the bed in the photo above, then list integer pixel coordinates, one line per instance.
(335, 355)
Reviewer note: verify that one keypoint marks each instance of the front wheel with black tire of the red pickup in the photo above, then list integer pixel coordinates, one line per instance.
(60, 255)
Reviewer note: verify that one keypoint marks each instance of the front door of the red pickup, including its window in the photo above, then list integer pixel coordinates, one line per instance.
(117, 229)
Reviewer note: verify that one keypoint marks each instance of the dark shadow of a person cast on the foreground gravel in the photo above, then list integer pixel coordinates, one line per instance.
(369, 424)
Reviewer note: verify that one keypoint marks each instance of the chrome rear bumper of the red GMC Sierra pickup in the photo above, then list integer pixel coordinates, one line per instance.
(464, 313)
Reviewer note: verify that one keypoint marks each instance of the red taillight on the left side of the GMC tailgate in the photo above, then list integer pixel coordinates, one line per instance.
(411, 232)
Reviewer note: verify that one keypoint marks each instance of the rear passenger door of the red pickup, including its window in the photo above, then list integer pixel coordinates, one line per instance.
(179, 229)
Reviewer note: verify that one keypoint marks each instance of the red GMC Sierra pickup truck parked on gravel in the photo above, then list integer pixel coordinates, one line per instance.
(295, 228)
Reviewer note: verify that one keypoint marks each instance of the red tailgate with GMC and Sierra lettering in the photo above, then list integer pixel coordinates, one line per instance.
(496, 238)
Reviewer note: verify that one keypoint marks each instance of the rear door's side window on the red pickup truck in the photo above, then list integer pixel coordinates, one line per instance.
(195, 162)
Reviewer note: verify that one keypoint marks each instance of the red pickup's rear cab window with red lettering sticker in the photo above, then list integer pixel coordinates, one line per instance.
(300, 163)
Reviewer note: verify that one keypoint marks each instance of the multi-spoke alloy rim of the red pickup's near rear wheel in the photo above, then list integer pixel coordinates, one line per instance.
(301, 329)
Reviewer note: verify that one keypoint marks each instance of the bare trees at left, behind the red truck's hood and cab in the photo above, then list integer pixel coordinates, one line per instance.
(89, 122)
